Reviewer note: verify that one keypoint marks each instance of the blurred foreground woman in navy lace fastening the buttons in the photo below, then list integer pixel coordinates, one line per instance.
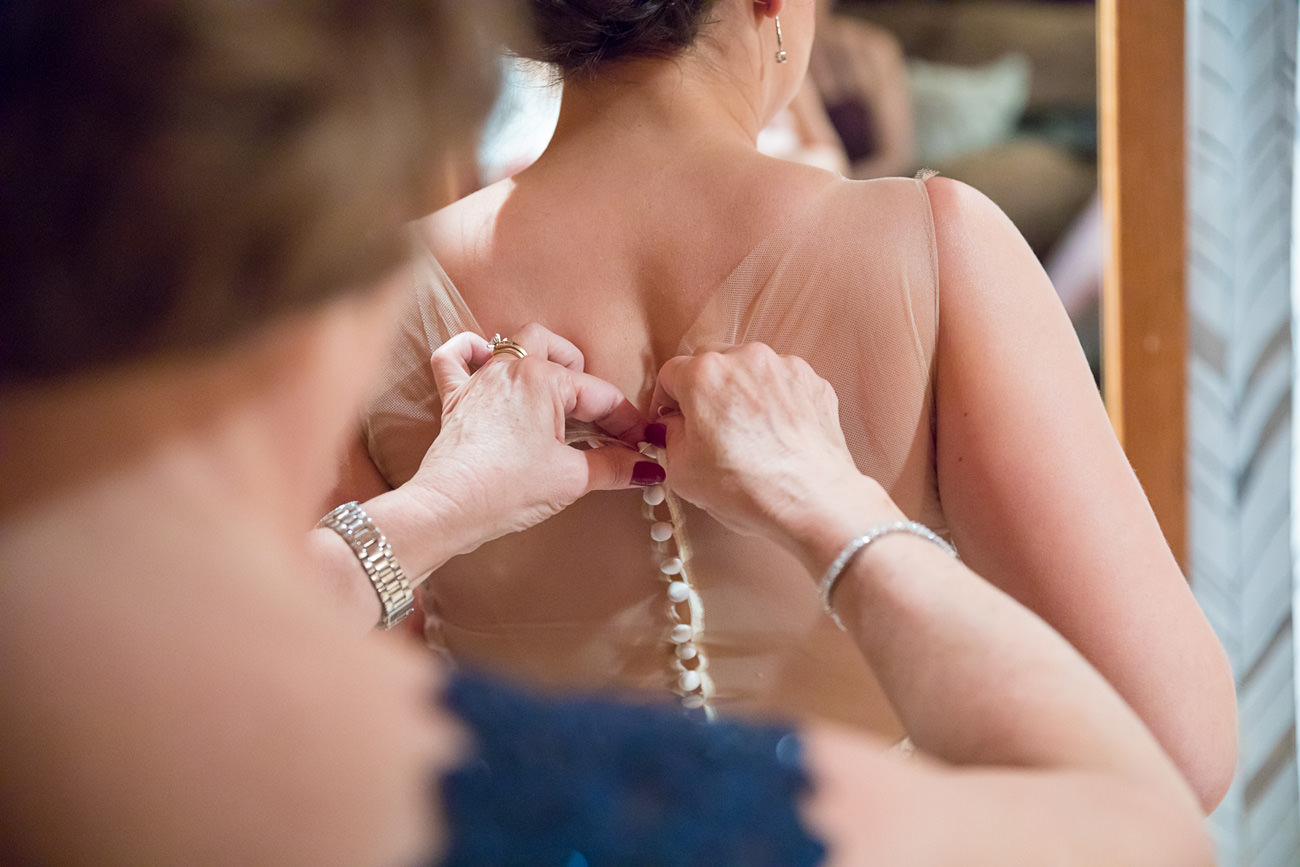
(201, 237)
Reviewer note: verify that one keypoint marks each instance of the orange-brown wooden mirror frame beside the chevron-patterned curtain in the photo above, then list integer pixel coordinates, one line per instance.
(1145, 310)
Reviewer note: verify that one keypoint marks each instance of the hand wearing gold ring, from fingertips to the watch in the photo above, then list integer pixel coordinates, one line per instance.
(500, 459)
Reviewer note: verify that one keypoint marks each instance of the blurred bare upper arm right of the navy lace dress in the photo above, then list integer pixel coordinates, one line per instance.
(872, 809)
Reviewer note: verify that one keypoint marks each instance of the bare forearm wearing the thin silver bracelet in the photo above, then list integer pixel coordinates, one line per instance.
(976, 678)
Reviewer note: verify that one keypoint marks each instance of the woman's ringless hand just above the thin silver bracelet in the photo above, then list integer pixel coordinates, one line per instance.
(755, 440)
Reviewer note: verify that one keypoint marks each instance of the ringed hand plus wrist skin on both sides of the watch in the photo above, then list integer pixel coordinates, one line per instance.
(500, 463)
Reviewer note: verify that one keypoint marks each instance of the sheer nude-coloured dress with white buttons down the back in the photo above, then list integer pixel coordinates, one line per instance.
(850, 284)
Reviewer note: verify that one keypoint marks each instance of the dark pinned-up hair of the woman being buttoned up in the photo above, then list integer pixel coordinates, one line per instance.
(579, 37)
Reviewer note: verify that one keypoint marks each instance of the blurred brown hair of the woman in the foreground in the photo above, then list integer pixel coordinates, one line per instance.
(177, 172)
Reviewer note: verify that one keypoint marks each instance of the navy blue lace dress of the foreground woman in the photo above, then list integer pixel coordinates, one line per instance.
(588, 783)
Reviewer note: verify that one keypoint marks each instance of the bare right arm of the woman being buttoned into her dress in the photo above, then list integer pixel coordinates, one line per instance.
(1042, 500)
